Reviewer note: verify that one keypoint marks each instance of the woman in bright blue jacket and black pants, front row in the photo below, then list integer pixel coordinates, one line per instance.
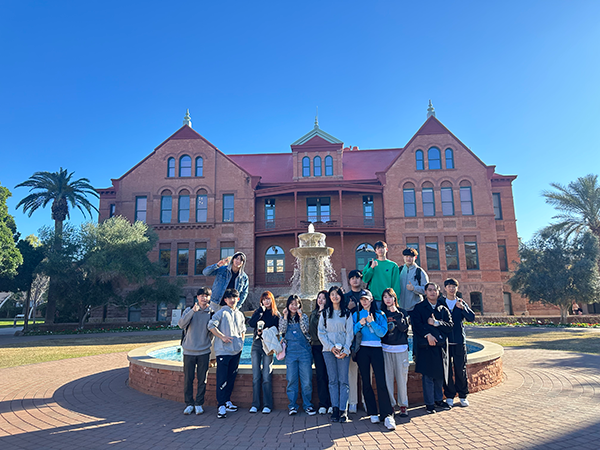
(371, 323)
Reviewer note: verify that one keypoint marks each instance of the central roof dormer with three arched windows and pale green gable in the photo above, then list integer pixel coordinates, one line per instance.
(317, 156)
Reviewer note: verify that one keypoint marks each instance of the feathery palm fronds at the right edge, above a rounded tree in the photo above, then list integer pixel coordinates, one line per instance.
(578, 204)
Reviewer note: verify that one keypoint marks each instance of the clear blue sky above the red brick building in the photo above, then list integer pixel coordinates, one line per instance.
(95, 86)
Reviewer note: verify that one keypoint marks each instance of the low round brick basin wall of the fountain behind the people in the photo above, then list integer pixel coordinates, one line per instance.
(162, 378)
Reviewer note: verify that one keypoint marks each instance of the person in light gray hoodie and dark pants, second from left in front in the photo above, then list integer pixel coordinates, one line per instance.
(229, 326)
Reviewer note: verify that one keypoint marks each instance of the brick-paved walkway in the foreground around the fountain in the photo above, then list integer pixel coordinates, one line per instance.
(550, 400)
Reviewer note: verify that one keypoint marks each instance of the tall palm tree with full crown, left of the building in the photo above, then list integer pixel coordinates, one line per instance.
(58, 188)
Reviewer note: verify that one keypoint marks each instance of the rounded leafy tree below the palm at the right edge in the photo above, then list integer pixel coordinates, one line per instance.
(557, 271)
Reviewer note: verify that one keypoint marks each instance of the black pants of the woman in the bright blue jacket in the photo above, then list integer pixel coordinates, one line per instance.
(373, 357)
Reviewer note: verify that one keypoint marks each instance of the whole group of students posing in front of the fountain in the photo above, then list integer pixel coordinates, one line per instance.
(362, 331)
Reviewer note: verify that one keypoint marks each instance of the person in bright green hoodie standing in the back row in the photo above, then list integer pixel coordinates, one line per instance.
(381, 274)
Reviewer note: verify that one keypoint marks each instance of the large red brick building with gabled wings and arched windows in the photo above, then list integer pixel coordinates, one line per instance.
(433, 194)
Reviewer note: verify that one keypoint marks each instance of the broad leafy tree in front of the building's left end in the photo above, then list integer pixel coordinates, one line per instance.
(98, 265)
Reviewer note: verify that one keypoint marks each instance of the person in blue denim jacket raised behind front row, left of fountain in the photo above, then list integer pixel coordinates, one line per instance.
(229, 274)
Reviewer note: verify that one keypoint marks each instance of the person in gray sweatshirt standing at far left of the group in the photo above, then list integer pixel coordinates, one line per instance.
(196, 344)
